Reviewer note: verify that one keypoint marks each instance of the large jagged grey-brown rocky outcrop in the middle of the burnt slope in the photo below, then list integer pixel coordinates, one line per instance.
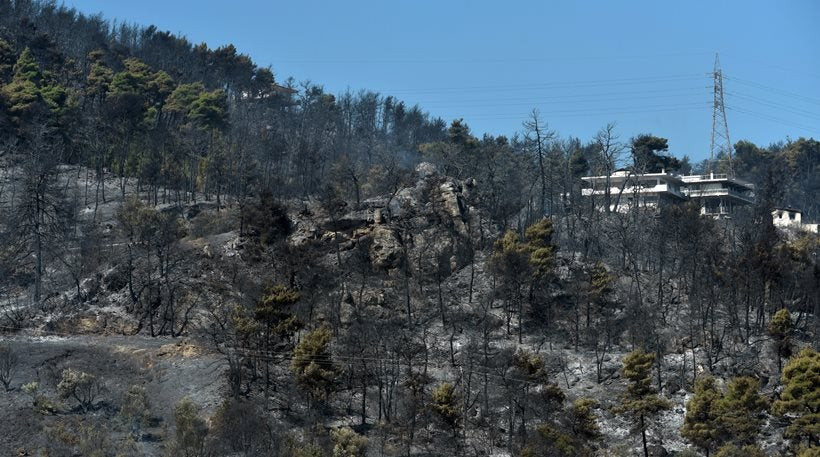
(431, 221)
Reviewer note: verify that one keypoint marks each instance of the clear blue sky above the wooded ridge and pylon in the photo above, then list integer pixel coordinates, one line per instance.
(642, 64)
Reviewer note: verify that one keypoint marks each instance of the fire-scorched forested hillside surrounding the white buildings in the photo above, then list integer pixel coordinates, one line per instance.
(200, 259)
